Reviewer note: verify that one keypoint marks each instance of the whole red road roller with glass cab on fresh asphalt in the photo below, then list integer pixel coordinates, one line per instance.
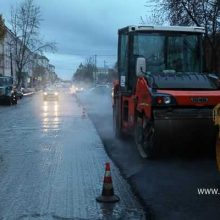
(162, 93)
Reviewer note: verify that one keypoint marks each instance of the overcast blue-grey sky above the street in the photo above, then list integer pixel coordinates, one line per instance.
(83, 28)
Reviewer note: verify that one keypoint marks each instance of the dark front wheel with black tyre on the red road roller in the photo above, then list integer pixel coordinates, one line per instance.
(144, 137)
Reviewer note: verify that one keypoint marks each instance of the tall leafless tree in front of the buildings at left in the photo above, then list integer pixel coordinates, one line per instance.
(25, 24)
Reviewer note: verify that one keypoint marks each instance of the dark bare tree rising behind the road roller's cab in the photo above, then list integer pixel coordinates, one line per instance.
(204, 13)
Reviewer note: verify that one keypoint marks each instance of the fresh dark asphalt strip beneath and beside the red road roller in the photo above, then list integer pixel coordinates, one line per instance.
(168, 186)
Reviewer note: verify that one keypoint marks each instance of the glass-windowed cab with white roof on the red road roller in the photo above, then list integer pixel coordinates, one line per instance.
(162, 49)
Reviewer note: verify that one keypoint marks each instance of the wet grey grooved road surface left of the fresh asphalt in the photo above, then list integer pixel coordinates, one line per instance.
(52, 165)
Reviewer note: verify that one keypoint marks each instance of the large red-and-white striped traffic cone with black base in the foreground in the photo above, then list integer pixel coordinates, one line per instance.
(107, 190)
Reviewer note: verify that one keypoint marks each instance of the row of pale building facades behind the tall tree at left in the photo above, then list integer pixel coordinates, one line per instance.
(38, 67)
